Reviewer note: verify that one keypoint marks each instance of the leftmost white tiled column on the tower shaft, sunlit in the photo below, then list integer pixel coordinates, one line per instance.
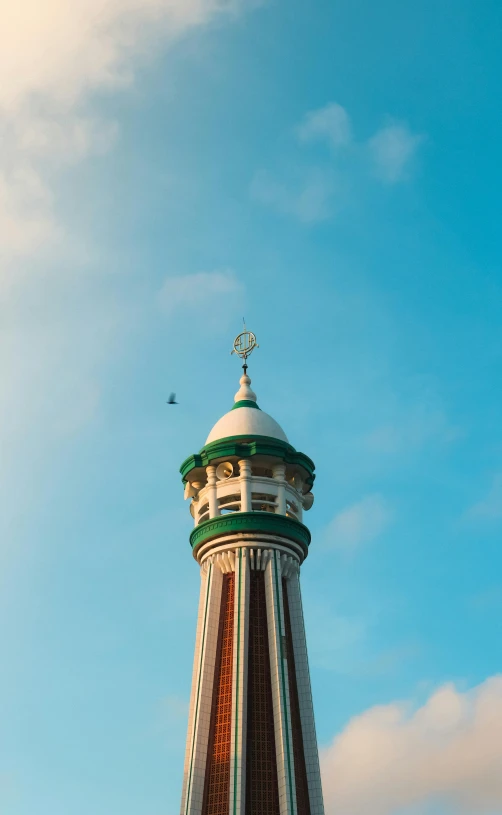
(202, 690)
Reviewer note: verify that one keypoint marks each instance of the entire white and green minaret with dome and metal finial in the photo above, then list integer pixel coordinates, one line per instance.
(251, 744)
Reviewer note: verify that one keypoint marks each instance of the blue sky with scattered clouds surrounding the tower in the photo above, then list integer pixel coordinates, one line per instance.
(331, 172)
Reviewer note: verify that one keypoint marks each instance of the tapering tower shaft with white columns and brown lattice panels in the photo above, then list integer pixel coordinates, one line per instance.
(251, 746)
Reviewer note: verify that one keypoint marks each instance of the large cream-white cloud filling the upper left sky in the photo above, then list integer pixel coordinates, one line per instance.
(58, 328)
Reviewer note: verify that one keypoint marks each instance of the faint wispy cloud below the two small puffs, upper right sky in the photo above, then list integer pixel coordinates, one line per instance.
(309, 201)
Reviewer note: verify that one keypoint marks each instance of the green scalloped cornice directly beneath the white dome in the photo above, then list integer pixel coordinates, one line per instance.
(245, 447)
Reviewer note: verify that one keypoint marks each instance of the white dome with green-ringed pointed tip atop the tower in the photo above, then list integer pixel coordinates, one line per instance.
(246, 418)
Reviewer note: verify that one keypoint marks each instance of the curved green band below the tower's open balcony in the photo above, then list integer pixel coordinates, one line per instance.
(267, 523)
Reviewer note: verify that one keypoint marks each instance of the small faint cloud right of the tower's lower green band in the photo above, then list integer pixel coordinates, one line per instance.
(360, 523)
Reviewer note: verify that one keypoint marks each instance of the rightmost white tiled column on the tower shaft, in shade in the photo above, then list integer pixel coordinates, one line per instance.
(305, 694)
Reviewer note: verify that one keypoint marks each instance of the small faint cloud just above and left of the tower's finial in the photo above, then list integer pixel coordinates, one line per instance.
(190, 292)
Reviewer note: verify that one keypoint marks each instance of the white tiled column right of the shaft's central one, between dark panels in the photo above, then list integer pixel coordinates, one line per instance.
(280, 686)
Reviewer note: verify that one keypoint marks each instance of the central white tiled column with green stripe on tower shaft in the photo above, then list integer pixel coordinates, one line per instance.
(237, 802)
